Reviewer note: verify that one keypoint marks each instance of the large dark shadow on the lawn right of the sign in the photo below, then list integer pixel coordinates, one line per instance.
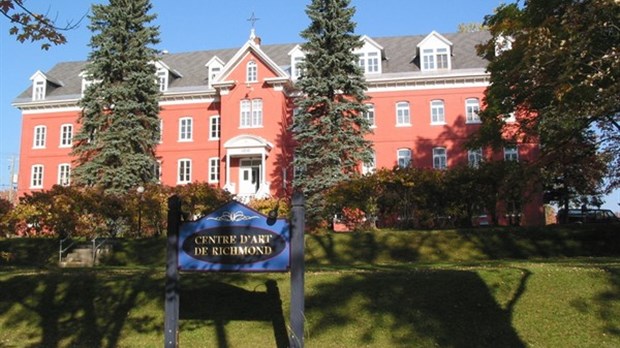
(428, 308)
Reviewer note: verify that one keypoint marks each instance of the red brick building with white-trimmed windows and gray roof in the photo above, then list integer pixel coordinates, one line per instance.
(226, 114)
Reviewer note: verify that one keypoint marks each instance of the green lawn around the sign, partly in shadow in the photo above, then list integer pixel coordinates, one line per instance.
(477, 288)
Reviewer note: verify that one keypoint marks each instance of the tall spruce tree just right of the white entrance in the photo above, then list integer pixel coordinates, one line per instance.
(329, 128)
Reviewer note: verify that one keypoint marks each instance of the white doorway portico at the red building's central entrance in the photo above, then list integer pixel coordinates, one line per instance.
(247, 155)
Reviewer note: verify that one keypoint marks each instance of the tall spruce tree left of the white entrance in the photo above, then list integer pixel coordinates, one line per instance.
(115, 147)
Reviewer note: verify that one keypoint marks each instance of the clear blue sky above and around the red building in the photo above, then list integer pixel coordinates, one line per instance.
(193, 25)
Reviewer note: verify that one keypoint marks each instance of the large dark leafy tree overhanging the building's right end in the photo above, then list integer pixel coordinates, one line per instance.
(556, 65)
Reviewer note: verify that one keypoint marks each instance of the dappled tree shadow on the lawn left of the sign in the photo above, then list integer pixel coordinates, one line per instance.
(77, 308)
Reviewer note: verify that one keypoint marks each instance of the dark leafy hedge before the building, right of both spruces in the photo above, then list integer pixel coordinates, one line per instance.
(428, 198)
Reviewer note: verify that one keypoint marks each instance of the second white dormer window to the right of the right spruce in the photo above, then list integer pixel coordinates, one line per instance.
(434, 53)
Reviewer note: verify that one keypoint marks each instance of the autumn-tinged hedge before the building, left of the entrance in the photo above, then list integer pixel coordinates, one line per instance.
(92, 212)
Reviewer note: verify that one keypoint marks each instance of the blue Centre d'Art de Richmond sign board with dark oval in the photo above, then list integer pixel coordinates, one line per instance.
(234, 238)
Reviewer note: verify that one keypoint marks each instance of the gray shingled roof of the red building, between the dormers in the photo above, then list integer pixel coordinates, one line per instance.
(399, 57)
